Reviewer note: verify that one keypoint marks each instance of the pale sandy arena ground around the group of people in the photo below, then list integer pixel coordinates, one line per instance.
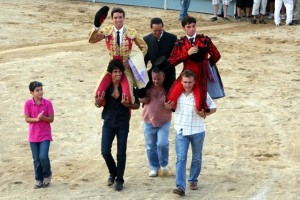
(251, 149)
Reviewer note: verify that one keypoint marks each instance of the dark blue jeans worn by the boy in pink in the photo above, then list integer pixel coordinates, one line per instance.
(41, 161)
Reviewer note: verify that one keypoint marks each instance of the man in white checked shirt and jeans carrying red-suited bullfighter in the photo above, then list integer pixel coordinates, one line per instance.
(190, 129)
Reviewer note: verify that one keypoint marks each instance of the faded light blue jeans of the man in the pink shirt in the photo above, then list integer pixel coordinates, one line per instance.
(157, 144)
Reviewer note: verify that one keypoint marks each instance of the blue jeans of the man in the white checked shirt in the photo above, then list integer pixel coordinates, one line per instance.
(182, 146)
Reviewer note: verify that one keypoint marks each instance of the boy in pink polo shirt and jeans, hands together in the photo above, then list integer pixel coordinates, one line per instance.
(39, 114)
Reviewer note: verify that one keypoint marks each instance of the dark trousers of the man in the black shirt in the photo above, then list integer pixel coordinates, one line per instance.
(120, 130)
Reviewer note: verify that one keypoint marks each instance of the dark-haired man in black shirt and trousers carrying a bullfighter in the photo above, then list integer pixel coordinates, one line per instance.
(116, 116)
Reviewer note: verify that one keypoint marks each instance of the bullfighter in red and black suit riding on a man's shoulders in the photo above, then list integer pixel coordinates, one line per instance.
(194, 50)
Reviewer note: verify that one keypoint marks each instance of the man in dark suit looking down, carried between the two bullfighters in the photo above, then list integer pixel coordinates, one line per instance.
(160, 43)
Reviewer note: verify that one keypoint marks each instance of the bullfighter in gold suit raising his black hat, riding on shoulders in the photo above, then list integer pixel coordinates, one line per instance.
(119, 40)
